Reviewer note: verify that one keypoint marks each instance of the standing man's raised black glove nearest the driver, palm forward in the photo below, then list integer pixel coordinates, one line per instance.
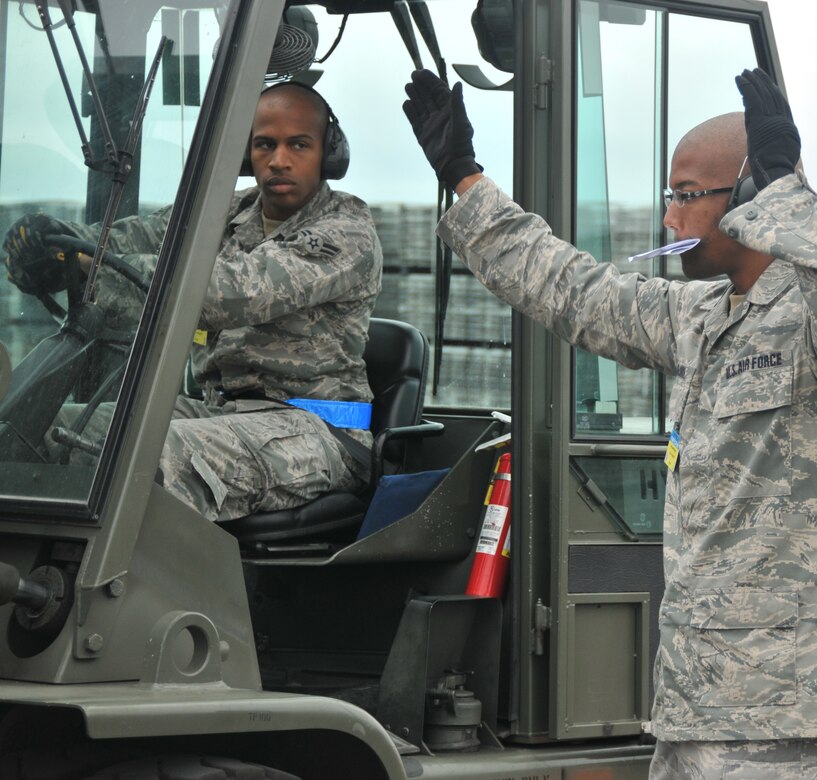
(438, 118)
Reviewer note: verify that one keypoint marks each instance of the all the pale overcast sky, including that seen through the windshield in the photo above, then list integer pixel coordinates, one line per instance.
(388, 142)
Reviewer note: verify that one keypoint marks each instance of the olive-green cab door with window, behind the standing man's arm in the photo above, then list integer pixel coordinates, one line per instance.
(604, 92)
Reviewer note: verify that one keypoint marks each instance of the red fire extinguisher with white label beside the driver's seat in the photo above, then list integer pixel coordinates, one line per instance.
(493, 553)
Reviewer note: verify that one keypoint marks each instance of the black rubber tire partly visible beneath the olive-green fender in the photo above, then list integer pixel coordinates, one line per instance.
(189, 768)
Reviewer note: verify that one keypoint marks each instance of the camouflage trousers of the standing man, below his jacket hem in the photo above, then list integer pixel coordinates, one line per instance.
(786, 759)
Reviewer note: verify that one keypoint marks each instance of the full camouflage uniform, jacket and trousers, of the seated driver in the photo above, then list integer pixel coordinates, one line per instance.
(286, 316)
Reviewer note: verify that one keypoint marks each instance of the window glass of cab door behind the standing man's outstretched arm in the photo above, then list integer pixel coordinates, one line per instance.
(639, 72)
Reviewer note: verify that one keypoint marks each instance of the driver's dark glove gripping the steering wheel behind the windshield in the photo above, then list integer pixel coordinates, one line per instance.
(33, 265)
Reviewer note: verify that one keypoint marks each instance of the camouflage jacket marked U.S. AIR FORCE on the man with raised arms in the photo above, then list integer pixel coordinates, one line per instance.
(738, 651)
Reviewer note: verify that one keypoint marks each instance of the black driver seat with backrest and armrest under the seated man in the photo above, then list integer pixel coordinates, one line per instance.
(396, 359)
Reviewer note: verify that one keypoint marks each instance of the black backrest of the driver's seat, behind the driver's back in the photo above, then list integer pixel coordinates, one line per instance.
(396, 363)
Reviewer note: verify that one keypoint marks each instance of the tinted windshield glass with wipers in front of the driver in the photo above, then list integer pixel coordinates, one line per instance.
(82, 143)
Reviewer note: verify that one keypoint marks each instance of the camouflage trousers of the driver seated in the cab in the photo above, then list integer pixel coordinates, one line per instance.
(228, 464)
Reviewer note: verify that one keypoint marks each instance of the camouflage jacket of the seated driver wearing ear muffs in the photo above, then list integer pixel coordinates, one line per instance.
(285, 315)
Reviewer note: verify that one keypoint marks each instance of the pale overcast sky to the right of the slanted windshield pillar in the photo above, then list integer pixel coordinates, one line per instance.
(704, 86)
